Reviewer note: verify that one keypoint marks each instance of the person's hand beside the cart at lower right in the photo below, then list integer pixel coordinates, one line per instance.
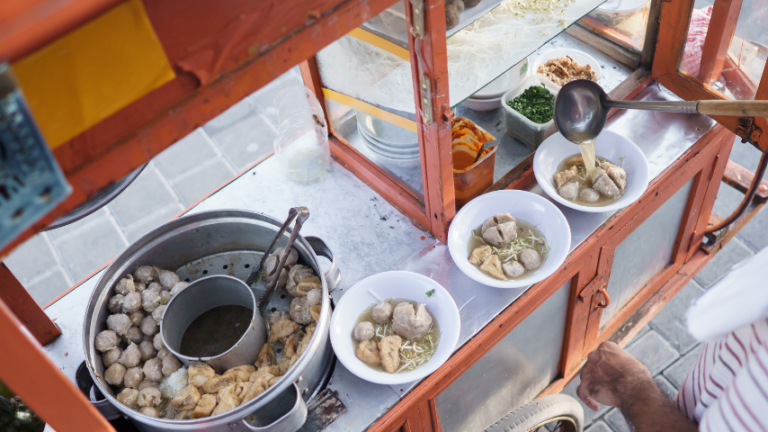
(612, 377)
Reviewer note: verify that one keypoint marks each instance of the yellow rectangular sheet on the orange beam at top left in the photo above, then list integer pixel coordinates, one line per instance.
(92, 72)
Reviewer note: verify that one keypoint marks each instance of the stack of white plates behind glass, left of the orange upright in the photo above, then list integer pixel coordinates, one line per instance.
(387, 141)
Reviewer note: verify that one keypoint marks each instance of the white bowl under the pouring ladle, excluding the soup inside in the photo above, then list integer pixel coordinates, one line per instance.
(609, 145)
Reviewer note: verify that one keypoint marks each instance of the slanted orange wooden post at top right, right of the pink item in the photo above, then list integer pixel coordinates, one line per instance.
(725, 14)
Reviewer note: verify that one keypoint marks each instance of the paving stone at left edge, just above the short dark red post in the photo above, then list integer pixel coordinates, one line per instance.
(31, 260)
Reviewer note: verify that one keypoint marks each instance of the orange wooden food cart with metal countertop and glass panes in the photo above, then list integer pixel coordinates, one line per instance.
(514, 344)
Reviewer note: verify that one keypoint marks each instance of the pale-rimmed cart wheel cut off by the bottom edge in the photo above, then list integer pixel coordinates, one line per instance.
(550, 409)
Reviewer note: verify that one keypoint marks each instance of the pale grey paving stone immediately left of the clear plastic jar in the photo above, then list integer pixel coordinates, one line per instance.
(246, 142)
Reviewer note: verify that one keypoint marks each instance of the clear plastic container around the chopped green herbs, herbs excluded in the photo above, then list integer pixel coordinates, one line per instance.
(518, 126)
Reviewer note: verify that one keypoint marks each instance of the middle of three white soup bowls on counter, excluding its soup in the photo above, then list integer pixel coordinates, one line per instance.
(527, 206)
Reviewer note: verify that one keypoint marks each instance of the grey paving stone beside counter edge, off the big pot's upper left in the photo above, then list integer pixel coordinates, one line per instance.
(85, 250)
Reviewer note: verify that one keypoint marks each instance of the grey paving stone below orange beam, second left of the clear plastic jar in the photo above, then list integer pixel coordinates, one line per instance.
(186, 155)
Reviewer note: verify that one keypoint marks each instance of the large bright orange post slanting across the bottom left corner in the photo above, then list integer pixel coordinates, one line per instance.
(26, 369)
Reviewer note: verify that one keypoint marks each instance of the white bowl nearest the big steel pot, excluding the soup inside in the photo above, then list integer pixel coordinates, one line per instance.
(398, 285)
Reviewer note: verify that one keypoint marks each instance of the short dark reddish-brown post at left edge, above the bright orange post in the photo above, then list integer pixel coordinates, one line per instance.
(25, 308)
